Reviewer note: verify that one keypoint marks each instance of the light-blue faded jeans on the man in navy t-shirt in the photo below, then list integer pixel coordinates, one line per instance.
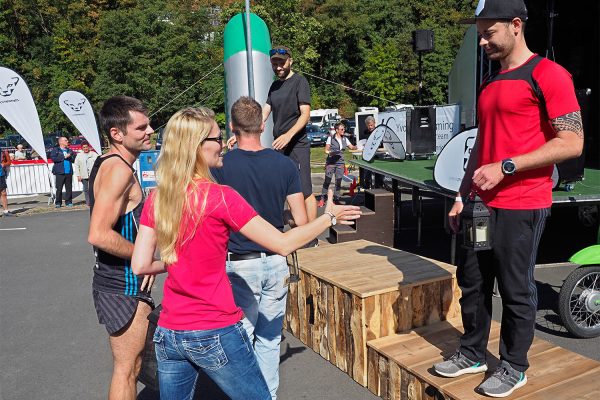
(260, 289)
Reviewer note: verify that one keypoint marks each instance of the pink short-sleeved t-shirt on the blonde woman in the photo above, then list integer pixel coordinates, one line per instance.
(197, 292)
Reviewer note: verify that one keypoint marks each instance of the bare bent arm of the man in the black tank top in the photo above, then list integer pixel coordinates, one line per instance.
(109, 204)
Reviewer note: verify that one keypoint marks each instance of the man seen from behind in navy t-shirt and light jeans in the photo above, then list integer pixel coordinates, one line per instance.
(266, 179)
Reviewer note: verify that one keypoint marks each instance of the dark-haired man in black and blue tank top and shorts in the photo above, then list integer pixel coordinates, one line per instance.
(122, 299)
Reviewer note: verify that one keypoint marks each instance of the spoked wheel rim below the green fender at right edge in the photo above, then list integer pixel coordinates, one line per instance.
(585, 301)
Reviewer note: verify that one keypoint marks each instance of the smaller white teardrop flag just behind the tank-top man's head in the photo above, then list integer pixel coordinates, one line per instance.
(79, 110)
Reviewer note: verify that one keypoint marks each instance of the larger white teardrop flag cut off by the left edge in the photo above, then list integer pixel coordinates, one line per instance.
(18, 108)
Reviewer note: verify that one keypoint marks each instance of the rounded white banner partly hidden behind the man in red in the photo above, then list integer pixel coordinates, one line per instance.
(452, 161)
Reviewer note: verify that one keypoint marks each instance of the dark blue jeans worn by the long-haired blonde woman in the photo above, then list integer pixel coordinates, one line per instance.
(224, 354)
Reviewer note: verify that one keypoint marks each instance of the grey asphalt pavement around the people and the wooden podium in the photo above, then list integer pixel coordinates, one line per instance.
(53, 347)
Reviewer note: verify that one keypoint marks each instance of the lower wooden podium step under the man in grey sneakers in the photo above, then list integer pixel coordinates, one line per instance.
(555, 373)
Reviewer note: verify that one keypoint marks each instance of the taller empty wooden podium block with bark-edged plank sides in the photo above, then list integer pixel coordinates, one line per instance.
(353, 292)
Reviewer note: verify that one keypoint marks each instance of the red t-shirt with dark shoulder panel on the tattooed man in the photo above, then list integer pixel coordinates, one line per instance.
(513, 122)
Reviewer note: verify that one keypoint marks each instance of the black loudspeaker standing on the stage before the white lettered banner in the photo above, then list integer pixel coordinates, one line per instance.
(420, 135)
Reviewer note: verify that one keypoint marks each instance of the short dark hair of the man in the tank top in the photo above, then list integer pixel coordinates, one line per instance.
(115, 113)
